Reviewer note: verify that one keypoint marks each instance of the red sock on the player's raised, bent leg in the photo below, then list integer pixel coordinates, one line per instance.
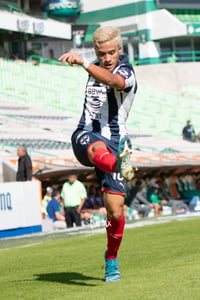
(104, 160)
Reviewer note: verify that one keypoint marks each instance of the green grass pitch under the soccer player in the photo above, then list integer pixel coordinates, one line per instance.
(160, 261)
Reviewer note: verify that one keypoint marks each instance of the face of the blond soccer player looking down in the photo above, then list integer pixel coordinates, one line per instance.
(108, 55)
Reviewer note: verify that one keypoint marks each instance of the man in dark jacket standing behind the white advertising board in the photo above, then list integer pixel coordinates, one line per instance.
(24, 172)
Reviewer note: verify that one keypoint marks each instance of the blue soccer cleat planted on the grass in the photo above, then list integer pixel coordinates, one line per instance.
(112, 270)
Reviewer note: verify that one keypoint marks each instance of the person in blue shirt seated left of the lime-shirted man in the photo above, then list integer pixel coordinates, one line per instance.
(54, 210)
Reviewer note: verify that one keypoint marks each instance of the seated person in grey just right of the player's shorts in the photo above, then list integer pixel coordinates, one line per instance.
(140, 202)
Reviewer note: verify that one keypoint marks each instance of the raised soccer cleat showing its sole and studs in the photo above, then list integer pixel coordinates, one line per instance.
(123, 163)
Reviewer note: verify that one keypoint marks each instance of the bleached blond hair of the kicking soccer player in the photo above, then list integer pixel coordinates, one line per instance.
(107, 33)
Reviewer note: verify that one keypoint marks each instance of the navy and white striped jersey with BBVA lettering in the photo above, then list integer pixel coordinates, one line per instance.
(106, 109)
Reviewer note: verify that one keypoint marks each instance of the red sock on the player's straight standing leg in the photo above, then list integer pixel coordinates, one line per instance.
(115, 229)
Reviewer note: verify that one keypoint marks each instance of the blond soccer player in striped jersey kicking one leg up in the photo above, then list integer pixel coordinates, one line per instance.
(101, 139)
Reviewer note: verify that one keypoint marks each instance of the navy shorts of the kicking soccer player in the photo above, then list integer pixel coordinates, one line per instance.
(81, 140)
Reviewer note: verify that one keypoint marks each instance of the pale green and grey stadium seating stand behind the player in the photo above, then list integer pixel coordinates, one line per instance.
(41, 104)
